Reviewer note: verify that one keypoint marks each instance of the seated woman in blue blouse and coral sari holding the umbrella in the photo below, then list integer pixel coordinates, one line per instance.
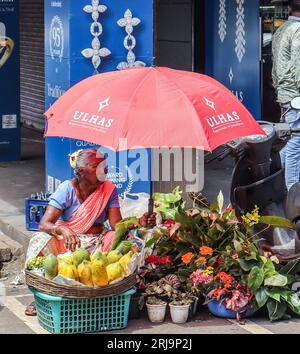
(78, 209)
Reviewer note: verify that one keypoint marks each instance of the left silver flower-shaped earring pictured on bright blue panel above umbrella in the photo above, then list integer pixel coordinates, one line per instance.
(96, 52)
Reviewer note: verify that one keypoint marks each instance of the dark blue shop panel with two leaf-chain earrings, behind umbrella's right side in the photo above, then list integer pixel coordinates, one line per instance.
(233, 48)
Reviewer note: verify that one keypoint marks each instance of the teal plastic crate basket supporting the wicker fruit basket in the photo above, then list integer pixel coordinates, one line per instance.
(67, 316)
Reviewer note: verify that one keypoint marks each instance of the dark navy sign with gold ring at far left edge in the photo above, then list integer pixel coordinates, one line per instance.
(10, 139)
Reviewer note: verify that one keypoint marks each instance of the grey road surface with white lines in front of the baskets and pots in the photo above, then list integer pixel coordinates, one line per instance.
(13, 320)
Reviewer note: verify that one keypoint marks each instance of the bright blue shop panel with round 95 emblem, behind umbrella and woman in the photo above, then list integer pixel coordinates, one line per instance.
(67, 33)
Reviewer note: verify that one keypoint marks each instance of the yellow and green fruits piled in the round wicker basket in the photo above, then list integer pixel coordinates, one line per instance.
(96, 269)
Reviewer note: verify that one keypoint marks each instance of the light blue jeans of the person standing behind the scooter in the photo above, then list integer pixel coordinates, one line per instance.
(292, 151)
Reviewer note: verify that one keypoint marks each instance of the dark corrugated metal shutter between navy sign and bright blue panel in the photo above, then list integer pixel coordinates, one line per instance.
(32, 62)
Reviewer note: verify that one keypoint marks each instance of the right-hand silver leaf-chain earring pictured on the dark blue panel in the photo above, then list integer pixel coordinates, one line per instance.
(240, 41)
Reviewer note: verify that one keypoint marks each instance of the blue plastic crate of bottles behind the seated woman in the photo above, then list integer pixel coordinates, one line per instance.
(35, 210)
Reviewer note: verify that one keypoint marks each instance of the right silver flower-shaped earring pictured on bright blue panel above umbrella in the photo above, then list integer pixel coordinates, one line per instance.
(129, 23)
